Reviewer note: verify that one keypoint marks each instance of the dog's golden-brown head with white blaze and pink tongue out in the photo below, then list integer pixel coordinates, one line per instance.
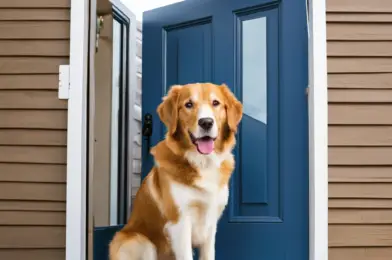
(201, 116)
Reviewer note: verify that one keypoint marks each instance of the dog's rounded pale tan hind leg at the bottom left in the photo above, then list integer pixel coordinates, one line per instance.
(131, 246)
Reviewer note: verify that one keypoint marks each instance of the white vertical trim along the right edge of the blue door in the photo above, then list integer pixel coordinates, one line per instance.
(318, 132)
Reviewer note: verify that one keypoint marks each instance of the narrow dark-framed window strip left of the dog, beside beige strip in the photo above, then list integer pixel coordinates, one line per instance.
(119, 121)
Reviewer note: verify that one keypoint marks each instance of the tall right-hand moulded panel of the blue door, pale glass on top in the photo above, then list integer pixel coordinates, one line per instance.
(256, 182)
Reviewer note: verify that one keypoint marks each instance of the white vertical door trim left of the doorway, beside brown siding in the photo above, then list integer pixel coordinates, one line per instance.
(76, 133)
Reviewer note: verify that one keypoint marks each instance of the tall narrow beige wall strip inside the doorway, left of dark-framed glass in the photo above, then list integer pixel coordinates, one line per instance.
(102, 125)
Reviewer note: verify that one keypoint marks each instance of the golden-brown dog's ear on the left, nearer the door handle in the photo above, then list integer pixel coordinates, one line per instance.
(168, 109)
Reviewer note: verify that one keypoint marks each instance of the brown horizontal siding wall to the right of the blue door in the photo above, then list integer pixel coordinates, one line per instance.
(359, 34)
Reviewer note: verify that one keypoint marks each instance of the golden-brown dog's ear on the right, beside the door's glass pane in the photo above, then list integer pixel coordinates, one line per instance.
(233, 108)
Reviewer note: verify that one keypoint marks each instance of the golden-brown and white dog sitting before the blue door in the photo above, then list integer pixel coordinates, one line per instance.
(179, 203)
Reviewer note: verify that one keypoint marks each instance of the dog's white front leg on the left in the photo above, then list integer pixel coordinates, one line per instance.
(181, 238)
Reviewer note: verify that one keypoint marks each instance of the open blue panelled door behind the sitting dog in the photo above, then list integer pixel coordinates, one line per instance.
(259, 49)
